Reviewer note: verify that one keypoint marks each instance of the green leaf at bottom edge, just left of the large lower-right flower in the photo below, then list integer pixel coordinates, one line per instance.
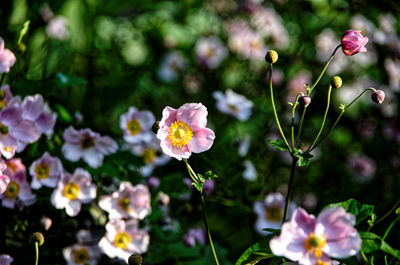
(257, 252)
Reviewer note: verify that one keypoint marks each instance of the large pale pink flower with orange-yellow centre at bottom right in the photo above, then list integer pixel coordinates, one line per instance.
(311, 241)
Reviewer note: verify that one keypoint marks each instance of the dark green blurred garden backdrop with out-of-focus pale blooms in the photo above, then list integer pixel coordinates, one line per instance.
(93, 59)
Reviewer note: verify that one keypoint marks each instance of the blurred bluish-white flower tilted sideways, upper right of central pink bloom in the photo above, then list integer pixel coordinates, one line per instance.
(233, 104)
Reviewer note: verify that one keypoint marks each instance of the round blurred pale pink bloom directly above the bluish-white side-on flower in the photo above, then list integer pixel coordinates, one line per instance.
(210, 51)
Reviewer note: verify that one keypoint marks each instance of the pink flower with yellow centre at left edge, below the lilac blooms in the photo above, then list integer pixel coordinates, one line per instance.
(18, 190)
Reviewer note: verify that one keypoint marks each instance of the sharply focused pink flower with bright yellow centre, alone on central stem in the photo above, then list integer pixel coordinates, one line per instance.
(184, 131)
